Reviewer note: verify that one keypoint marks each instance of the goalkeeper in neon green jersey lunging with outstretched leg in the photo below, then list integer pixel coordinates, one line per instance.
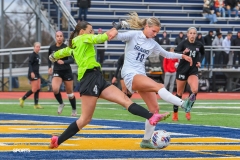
(92, 83)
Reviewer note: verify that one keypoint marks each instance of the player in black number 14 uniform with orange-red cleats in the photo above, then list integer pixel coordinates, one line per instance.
(185, 72)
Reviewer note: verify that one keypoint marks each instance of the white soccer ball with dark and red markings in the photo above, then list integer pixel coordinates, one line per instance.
(160, 139)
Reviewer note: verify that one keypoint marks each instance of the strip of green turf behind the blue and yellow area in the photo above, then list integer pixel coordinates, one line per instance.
(205, 112)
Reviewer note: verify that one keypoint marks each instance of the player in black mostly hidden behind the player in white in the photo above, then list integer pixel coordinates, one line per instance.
(114, 79)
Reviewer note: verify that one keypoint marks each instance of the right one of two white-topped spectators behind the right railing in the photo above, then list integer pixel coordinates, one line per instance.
(227, 54)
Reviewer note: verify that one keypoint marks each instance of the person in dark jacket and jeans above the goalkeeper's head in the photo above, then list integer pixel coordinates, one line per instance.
(83, 8)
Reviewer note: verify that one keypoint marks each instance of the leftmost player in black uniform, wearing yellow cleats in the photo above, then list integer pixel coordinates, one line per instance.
(33, 76)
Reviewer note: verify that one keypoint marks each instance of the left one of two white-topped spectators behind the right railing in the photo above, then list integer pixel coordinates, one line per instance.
(217, 43)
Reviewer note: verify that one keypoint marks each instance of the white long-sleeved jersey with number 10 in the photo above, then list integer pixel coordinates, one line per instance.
(137, 49)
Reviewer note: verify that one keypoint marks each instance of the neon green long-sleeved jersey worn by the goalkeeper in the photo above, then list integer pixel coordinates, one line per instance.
(83, 51)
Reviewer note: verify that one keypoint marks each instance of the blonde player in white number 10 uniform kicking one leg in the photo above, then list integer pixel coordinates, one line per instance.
(139, 45)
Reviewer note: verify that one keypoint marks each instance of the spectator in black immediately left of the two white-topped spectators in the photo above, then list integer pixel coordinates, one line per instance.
(208, 39)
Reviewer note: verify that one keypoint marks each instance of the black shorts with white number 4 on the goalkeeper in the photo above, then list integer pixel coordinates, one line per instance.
(93, 83)
